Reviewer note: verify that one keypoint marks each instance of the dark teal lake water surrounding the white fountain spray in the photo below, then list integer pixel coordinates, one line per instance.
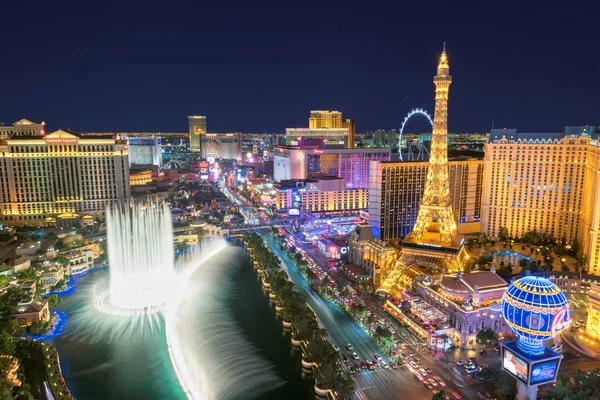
(100, 366)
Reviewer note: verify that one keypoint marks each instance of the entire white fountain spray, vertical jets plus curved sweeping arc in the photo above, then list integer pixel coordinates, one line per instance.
(145, 291)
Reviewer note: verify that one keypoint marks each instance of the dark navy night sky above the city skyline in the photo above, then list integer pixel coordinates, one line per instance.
(252, 68)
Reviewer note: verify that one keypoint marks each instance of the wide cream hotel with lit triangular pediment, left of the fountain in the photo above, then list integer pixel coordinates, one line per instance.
(60, 177)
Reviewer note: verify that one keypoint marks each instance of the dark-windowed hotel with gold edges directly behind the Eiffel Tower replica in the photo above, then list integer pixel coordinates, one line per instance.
(396, 189)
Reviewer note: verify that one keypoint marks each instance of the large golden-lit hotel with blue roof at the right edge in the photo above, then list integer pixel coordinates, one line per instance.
(547, 182)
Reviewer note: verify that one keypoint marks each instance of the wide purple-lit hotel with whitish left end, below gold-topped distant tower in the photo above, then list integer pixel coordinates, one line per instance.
(294, 162)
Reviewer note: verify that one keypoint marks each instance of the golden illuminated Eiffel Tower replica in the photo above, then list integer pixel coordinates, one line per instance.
(434, 244)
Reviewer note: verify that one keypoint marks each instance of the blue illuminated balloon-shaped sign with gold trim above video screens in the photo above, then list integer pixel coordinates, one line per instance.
(536, 310)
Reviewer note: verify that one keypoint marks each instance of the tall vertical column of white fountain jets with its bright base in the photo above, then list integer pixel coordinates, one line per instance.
(142, 272)
